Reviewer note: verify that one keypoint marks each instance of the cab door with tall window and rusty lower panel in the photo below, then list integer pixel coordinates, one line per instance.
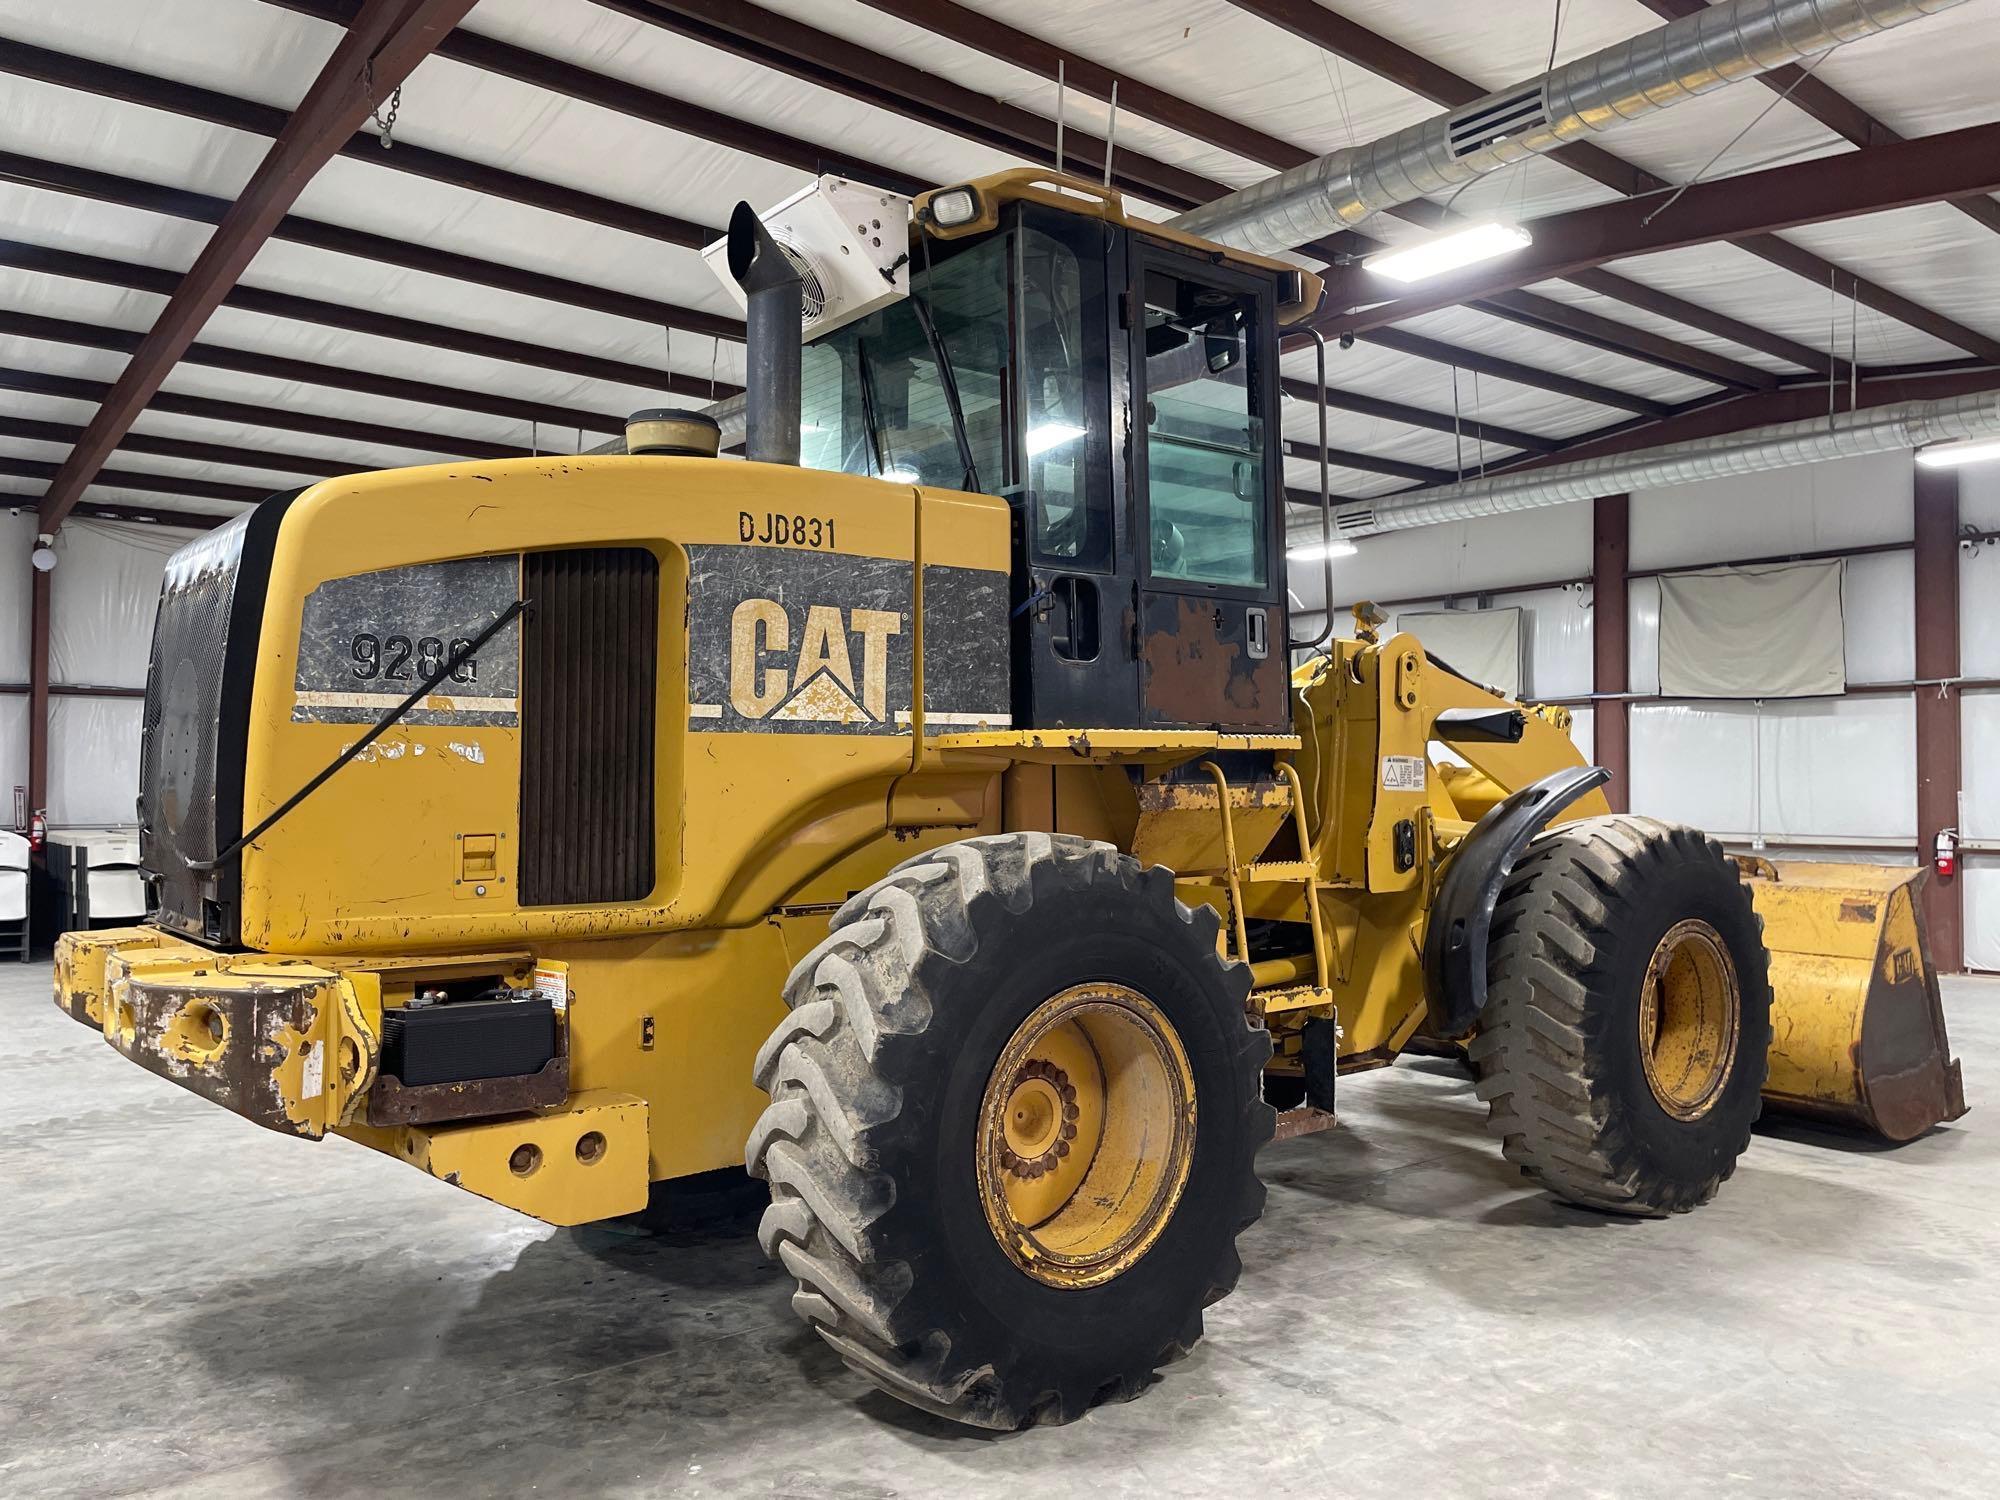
(1207, 473)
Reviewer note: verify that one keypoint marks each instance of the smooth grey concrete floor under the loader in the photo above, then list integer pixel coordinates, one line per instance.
(195, 1307)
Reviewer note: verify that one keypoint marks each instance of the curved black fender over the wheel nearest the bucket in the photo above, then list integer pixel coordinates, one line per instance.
(1463, 911)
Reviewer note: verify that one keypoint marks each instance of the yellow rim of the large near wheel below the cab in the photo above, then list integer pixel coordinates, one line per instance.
(1087, 1135)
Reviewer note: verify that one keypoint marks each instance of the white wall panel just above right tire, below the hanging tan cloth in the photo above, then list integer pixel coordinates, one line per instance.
(1697, 763)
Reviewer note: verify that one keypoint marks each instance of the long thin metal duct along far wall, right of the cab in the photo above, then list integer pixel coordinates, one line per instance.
(1787, 445)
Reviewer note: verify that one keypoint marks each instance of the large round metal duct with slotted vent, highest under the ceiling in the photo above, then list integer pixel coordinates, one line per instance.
(1649, 73)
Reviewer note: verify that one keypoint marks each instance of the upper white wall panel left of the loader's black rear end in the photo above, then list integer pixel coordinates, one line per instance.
(103, 601)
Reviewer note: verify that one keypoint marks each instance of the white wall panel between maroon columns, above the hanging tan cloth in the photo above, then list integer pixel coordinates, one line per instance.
(1809, 509)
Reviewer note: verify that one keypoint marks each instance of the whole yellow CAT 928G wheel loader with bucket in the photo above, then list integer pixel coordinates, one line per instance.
(951, 827)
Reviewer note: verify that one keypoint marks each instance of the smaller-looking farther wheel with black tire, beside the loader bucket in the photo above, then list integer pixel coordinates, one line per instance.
(1623, 1045)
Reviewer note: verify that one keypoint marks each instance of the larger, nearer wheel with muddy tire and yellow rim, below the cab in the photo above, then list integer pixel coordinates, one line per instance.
(953, 1209)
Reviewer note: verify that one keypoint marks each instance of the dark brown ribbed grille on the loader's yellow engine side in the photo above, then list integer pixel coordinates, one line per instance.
(587, 709)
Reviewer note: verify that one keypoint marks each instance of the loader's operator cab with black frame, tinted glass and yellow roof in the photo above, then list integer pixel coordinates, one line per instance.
(1119, 387)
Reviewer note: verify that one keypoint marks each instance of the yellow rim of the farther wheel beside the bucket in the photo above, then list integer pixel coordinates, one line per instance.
(1689, 1019)
